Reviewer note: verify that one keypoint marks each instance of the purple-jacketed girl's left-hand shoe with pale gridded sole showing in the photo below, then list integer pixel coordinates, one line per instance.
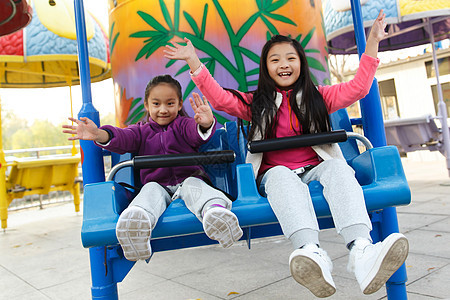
(133, 231)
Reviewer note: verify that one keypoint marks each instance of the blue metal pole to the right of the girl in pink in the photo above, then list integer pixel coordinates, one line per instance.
(372, 119)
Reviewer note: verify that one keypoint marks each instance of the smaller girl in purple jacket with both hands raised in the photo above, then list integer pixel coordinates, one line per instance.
(167, 131)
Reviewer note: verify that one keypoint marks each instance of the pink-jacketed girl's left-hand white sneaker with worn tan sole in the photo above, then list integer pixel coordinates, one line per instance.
(311, 267)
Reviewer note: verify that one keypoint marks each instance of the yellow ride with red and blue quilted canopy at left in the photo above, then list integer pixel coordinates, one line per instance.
(41, 55)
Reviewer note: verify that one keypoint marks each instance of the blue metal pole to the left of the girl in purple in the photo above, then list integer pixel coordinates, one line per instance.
(103, 284)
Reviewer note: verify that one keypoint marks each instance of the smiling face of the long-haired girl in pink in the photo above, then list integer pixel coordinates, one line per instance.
(283, 65)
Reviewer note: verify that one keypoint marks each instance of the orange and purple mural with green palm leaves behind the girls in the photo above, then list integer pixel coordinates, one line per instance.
(229, 35)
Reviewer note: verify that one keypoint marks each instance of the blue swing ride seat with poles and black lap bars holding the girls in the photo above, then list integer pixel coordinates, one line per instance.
(378, 169)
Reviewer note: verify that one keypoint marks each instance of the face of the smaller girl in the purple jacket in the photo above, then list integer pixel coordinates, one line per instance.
(163, 103)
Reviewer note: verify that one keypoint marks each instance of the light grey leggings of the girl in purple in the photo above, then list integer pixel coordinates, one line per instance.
(197, 195)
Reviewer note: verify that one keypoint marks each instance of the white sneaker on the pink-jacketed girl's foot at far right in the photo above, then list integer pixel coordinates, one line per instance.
(374, 264)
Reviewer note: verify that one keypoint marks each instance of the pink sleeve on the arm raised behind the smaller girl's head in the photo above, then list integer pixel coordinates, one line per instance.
(221, 99)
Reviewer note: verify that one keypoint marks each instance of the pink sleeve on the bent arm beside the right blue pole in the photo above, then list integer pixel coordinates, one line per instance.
(344, 94)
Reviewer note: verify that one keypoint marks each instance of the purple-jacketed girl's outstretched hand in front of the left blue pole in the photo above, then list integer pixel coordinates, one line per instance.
(85, 129)
